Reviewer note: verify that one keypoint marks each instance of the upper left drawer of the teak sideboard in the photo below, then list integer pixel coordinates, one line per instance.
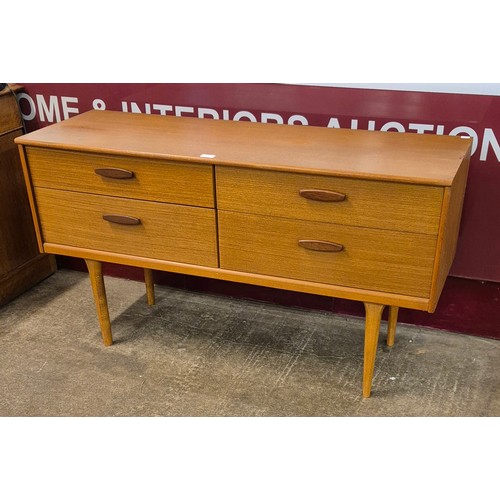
(152, 179)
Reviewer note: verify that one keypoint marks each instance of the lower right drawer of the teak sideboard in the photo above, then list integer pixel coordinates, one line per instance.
(371, 259)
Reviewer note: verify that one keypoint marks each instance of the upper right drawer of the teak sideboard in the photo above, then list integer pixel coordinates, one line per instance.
(367, 203)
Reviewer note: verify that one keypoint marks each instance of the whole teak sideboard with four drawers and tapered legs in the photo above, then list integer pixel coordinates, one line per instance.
(361, 215)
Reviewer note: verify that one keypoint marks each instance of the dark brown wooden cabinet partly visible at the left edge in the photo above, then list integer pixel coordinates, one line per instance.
(21, 264)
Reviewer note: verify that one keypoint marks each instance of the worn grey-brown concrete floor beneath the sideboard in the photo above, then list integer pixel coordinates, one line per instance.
(196, 354)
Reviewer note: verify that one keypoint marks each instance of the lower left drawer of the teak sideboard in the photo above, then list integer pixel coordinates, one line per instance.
(165, 231)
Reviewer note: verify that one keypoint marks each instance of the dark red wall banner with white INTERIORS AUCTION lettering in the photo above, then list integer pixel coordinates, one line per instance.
(477, 116)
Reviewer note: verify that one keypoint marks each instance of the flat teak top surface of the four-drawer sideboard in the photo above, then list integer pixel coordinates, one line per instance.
(392, 156)
